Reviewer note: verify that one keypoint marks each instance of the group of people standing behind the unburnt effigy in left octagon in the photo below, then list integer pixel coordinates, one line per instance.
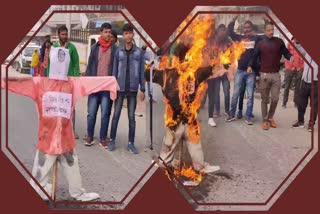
(106, 59)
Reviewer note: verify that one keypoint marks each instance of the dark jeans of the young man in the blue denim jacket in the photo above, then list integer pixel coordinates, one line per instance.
(131, 105)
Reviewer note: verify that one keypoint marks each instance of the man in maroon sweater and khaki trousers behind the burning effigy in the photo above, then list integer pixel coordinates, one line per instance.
(270, 50)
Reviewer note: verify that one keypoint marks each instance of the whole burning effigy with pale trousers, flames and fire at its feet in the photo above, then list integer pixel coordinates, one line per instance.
(182, 76)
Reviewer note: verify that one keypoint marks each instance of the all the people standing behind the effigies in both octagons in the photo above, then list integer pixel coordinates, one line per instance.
(257, 70)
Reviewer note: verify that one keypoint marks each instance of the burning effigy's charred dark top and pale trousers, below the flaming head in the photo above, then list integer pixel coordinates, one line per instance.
(181, 118)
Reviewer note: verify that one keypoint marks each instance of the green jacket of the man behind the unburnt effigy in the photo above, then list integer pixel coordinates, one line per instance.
(74, 66)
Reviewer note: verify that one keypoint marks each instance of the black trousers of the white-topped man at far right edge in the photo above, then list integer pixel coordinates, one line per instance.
(304, 97)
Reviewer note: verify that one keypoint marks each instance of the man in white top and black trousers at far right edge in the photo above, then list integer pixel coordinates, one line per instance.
(305, 95)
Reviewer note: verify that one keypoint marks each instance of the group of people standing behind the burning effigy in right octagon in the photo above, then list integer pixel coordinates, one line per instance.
(258, 70)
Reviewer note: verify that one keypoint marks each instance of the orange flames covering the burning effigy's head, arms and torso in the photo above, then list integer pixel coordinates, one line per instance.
(196, 36)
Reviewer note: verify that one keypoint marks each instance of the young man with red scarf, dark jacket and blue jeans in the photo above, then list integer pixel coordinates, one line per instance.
(100, 64)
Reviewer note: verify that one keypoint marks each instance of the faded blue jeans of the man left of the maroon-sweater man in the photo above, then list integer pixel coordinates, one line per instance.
(243, 81)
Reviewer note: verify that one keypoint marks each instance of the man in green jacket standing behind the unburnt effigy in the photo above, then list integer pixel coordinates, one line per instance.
(74, 68)
